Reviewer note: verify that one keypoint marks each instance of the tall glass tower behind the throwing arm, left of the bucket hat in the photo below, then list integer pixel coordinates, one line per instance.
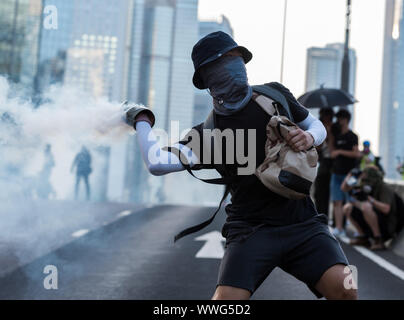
(163, 76)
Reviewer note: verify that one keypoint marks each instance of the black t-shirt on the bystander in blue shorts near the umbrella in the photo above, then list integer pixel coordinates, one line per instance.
(342, 164)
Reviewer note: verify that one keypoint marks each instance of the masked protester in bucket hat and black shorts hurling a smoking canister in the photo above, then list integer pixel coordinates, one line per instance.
(263, 229)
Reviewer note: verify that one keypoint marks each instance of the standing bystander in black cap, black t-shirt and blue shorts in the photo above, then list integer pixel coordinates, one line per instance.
(345, 153)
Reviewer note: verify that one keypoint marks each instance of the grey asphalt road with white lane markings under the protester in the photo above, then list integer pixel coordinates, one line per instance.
(127, 252)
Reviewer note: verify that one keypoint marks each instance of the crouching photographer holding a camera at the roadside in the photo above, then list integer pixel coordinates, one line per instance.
(371, 207)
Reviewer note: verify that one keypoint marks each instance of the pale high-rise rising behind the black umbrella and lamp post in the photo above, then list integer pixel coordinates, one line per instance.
(324, 66)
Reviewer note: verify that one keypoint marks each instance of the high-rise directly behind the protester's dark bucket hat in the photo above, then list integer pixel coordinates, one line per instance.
(203, 101)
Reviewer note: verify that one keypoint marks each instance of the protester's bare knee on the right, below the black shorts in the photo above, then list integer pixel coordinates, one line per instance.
(331, 284)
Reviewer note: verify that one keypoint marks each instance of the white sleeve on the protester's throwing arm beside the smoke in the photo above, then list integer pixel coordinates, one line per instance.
(158, 161)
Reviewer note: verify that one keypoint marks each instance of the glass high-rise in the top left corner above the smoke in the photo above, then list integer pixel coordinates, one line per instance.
(19, 40)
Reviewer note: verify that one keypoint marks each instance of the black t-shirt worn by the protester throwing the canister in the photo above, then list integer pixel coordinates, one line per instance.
(252, 203)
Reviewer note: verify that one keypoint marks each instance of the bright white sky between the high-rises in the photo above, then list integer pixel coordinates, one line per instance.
(258, 24)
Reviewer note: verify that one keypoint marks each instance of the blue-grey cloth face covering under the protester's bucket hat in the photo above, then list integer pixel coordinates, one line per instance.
(228, 84)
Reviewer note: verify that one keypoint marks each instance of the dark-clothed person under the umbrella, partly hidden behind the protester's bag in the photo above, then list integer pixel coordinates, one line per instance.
(322, 183)
